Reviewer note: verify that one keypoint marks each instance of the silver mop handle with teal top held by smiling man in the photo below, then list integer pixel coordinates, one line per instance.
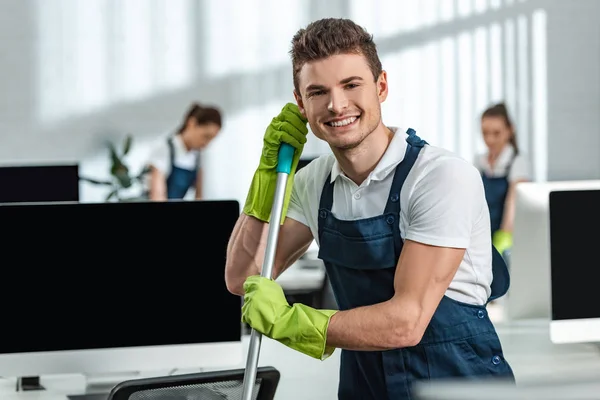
(284, 167)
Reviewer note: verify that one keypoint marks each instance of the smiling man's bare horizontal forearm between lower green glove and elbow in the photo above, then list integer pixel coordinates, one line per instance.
(382, 326)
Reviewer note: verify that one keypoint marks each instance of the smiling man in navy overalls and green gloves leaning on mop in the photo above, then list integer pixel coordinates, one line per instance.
(403, 229)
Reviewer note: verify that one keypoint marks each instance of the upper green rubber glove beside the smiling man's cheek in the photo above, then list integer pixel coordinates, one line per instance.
(288, 127)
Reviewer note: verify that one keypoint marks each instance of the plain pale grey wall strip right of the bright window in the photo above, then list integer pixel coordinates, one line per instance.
(574, 89)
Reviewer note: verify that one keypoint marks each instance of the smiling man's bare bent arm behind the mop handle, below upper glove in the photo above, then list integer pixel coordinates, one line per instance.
(246, 249)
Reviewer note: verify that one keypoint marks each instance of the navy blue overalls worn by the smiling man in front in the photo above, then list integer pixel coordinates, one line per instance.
(361, 257)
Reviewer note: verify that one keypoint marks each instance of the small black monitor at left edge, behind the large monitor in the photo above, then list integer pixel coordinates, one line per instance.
(39, 183)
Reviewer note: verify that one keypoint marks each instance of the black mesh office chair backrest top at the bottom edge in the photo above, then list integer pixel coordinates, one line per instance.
(217, 385)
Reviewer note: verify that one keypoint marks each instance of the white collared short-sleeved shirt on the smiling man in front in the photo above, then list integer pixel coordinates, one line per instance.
(442, 204)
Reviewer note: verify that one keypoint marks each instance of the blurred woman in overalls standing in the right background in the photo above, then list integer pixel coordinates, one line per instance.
(502, 167)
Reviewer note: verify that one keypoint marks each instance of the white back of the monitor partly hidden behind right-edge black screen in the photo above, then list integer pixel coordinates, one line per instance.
(529, 293)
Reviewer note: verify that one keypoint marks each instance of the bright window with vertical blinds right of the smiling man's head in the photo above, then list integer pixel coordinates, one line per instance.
(448, 60)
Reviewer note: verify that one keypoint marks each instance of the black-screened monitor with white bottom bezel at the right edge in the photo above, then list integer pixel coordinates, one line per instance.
(574, 224)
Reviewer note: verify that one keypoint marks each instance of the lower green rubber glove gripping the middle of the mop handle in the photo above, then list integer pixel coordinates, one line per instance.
(299, 327)
